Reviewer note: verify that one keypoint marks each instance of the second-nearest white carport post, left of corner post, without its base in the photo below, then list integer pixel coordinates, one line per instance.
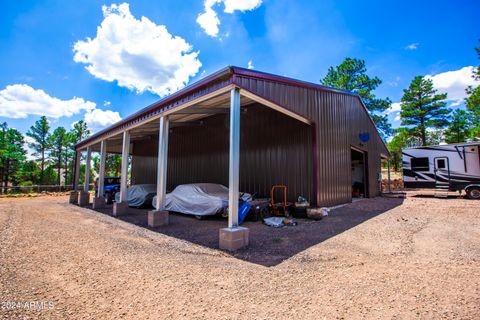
(162, 162)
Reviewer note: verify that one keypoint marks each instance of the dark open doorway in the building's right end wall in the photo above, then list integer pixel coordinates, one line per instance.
(359, 174)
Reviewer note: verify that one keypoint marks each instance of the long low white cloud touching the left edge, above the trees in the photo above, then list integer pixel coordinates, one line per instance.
(20, 100)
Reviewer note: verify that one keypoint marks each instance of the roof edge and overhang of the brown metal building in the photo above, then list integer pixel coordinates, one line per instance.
(206, 94)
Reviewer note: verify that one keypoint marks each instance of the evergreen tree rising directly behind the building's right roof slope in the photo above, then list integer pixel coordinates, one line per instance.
(351, 75)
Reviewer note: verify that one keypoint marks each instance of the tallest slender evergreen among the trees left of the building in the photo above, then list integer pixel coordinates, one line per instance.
(40, 134)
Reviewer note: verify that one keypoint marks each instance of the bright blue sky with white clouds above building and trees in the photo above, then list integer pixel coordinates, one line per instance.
(139, 51)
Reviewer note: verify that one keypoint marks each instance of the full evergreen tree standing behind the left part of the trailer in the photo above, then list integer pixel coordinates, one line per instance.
(423, 108)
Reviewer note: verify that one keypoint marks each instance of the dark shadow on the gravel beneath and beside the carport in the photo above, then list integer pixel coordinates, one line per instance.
(268, 246)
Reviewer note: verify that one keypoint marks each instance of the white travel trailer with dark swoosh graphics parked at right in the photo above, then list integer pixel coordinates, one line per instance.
(453, 167)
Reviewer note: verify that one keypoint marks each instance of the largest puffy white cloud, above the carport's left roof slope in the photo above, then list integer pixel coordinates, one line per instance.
(137, 53)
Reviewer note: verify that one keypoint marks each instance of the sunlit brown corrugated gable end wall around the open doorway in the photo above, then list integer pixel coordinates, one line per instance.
(339, 119)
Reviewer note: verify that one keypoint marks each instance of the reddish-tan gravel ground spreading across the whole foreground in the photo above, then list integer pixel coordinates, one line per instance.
(419, 258)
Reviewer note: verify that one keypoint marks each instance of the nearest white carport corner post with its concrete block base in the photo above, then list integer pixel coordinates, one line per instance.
(234, 237)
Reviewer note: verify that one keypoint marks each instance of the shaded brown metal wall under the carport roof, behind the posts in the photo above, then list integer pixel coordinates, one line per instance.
(274, 149)
